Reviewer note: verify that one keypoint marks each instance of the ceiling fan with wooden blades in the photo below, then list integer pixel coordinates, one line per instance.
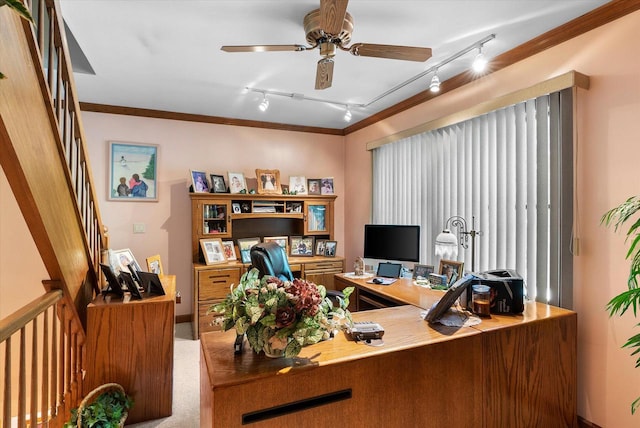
(329, 28)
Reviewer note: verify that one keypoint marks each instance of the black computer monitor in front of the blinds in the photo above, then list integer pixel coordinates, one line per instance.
(392, 242)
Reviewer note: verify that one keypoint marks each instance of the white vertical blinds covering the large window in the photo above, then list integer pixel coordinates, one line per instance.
(502, 169)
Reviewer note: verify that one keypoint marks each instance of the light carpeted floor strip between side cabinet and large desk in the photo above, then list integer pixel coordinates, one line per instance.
(186, 383)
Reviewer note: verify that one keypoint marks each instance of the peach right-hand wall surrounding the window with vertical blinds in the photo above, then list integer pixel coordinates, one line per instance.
(607, 156)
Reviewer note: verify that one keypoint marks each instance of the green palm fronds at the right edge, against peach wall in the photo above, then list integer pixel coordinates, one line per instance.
(630, 298)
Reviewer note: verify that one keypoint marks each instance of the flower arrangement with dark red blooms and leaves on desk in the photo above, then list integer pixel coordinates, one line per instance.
(280, 317)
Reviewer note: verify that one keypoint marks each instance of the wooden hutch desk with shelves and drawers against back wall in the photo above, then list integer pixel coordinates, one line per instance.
(213, 216)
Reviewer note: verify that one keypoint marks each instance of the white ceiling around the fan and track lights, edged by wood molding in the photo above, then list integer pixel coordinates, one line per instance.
(165, 55)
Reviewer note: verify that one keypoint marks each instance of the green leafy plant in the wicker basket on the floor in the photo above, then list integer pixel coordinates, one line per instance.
(105, 412)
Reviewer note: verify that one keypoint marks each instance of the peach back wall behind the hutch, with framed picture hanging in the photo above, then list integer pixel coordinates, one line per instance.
(215, 149)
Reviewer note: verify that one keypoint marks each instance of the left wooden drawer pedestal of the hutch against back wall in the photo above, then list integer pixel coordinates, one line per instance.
(211, 285)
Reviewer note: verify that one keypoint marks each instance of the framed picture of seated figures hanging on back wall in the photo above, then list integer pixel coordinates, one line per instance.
(133, 172)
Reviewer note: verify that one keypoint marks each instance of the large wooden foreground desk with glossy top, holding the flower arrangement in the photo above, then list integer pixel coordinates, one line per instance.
(509, 371)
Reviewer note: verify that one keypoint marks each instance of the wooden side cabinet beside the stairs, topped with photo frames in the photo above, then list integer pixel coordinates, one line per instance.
(130, 342)
